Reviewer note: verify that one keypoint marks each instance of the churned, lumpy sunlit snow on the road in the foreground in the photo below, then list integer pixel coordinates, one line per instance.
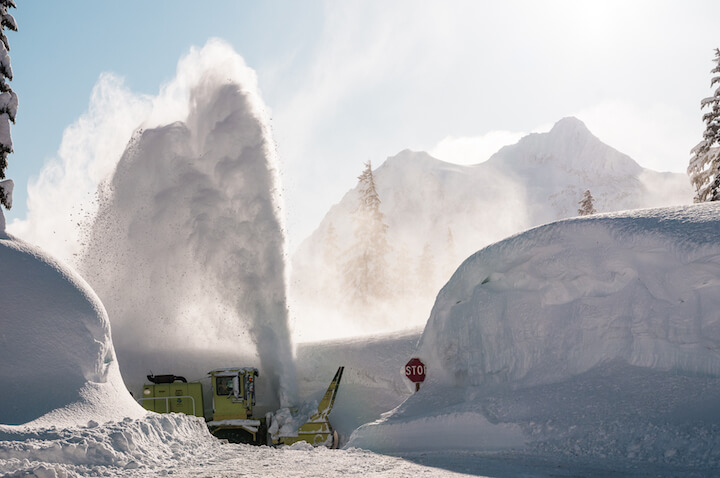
(180, 446)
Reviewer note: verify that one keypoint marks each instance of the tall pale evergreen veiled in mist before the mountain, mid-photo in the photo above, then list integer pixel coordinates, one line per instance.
(366, 271)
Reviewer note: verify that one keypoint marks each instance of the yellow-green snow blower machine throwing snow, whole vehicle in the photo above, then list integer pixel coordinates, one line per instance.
(233, 402)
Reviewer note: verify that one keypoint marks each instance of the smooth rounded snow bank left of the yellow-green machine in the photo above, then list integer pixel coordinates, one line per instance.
(58, 361)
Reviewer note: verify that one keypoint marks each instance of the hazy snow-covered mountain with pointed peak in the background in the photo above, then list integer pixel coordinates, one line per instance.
(439, 213)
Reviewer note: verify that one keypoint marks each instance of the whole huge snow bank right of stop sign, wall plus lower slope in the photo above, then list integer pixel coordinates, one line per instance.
(591, 342)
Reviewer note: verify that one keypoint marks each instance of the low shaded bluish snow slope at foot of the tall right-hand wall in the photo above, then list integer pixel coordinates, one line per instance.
(614, 420)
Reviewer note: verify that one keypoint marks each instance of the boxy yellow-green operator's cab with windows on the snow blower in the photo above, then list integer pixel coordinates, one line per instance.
(233, 393)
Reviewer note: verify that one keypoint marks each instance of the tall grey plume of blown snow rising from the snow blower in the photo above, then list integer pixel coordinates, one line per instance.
(187, 251)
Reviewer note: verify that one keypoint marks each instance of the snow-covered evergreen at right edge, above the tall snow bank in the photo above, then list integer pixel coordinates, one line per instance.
(704, 167)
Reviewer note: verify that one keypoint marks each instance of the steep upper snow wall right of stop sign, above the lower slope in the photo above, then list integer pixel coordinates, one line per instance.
(553, 302)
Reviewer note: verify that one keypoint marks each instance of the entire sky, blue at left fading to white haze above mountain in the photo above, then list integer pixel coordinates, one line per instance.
(351, 81)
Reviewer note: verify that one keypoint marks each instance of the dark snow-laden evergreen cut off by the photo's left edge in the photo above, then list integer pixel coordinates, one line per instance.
(8, 100)
